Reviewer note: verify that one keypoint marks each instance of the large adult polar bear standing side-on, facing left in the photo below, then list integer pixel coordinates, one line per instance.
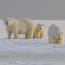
(25, 26)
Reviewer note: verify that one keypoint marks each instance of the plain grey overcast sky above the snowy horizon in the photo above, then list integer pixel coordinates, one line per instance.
(36, 9)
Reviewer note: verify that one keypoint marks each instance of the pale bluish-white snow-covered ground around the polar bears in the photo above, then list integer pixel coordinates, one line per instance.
(31, 52)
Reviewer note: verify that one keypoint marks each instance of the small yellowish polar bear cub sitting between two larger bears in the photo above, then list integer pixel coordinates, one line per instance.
(39, 31)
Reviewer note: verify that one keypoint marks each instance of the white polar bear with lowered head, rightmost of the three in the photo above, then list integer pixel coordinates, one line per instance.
(55, 34)
